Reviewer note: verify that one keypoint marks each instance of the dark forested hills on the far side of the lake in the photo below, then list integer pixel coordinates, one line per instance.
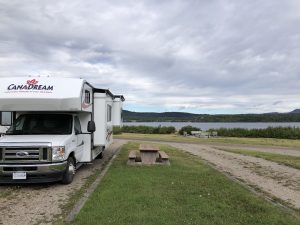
(129, 116)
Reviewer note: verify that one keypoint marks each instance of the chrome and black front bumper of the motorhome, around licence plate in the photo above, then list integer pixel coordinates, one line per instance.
(35, 173)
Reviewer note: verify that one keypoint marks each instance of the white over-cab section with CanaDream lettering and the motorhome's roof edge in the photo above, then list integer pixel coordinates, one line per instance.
(44, 93)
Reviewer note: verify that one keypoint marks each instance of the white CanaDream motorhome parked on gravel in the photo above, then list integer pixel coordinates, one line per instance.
(57, 125)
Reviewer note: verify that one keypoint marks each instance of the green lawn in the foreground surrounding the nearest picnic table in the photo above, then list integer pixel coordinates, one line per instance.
(187, 192)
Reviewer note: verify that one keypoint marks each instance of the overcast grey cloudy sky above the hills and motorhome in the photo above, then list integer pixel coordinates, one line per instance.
(201, 56)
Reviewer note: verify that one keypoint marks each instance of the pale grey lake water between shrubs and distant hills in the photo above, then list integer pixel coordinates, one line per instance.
(206, 126)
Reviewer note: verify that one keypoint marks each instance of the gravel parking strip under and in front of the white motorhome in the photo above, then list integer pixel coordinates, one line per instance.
(43, 203)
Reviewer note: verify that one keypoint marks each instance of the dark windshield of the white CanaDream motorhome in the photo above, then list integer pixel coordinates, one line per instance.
(42, 124)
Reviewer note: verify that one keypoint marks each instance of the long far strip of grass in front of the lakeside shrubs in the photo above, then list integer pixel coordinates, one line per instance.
(230, 140)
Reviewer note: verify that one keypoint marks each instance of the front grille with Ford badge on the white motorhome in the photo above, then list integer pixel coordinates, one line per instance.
(25, 154)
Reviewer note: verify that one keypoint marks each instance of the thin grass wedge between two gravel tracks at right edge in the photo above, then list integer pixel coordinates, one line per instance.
(288, 160)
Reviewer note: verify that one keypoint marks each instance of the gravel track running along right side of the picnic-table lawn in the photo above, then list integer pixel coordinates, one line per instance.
(278, 181)
